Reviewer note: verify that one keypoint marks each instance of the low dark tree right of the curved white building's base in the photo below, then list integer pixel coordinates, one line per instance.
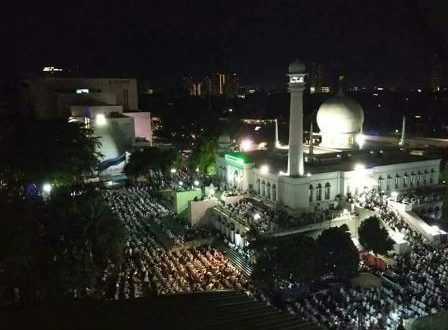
(143, 161)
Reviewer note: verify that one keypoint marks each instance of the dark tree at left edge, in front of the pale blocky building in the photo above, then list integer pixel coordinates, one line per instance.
(37, 150)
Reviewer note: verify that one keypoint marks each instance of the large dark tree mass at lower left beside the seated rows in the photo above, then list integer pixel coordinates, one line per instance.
(54, 247)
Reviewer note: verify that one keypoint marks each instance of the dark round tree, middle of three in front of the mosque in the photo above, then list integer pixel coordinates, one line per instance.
(336, 252)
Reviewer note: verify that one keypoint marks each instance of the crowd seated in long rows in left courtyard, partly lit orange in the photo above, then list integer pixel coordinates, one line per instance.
(149, 268)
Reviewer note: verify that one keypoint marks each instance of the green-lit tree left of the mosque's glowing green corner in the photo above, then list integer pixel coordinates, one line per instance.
(204, 153)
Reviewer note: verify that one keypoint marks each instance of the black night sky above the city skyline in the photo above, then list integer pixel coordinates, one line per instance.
(381, 41)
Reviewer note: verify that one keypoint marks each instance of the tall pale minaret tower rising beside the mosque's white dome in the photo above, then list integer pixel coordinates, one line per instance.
(296, 87)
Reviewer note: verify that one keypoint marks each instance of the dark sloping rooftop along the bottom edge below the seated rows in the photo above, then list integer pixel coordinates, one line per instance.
(208, 310)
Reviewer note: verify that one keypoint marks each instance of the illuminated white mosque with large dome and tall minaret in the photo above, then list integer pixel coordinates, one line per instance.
(307, 177)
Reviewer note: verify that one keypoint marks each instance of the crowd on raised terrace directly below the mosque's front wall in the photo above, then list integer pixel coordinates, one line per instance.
(251, 212)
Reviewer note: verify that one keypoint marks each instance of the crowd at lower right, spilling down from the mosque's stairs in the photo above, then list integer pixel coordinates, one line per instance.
(415, 285)
